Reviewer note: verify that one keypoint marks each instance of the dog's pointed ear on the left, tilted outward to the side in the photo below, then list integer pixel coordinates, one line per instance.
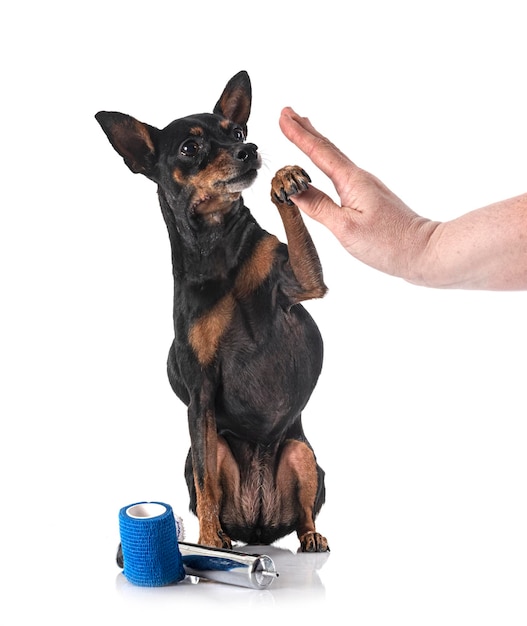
(133, 140)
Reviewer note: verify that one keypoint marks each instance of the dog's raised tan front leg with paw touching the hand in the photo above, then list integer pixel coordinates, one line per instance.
(303, 256)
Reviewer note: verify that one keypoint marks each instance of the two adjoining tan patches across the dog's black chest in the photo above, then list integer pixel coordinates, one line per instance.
(206, 333)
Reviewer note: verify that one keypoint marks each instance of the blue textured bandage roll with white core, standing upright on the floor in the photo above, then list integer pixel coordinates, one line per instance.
(149, 542)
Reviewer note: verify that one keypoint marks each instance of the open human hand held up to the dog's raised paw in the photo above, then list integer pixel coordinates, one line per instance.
(372, 223)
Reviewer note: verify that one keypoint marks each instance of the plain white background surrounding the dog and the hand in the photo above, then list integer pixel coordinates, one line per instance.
(419, 418)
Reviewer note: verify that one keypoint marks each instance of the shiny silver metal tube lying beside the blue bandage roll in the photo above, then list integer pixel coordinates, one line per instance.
(256, 571)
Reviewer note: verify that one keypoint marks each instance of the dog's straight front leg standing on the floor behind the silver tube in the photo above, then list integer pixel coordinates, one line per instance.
(204, 450)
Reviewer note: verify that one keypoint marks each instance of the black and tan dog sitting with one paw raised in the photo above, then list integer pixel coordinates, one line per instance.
(246, 355)
